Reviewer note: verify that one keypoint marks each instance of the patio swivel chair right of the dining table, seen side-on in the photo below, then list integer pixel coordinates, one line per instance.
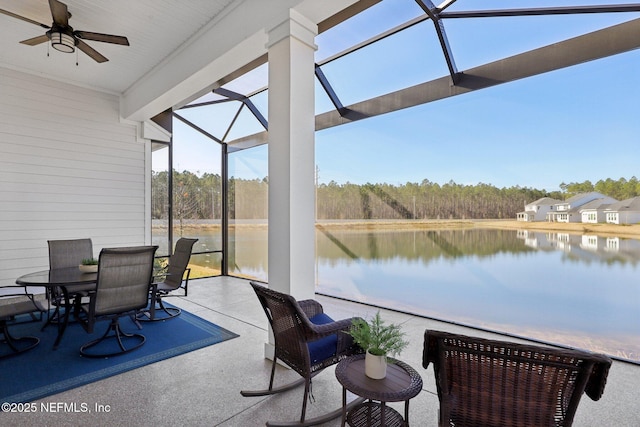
(177, 277)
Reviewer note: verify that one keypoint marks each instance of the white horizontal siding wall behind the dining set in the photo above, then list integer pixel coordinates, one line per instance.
(69, 168)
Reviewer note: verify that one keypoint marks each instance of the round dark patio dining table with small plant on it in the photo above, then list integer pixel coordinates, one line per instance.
(59, 278)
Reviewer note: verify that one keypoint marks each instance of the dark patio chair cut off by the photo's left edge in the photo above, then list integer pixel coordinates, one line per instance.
(12, 305)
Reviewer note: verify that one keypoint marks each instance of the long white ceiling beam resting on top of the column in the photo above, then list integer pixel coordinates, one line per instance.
(233, 43)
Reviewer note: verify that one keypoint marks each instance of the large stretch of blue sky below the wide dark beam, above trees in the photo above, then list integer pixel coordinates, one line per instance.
(571, 125)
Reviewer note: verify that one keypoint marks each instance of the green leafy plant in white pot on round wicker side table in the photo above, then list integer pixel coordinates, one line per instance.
(379, 340)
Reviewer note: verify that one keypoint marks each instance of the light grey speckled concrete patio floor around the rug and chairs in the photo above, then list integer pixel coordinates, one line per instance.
(202, 388)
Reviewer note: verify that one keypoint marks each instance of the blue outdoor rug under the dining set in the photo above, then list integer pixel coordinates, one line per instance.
(43, 371)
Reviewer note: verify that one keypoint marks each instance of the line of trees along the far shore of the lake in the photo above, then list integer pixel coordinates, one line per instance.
(200, 197)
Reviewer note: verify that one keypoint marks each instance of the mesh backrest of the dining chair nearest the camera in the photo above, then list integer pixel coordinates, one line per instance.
(124, 278)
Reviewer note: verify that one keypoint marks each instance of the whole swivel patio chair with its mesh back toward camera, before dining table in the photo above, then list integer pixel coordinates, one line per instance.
(124, 280)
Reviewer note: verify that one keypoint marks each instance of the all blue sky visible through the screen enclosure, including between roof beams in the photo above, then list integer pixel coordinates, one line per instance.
(571, 125)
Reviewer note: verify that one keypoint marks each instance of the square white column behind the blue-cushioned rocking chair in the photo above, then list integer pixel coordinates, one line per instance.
(291, 50)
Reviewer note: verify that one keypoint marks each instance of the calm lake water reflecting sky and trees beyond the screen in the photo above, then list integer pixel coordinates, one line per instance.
(579, 291)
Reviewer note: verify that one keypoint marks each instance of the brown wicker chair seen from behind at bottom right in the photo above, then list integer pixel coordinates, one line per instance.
(489, 383)
